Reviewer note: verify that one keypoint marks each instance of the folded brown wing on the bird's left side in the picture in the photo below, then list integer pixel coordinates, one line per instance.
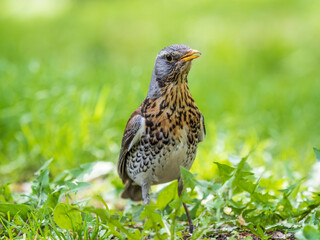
(132, 134)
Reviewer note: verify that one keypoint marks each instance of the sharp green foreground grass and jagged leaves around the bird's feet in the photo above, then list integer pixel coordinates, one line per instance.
(235, 203)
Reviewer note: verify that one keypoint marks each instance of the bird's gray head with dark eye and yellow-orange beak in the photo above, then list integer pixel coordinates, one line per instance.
(171, 67)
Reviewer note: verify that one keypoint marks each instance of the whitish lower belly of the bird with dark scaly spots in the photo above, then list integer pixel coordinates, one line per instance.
(159, 160)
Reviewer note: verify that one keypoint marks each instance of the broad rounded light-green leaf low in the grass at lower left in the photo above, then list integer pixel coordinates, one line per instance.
(67, 217)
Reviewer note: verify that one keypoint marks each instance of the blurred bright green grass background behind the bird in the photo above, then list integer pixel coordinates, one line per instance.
(72, 72)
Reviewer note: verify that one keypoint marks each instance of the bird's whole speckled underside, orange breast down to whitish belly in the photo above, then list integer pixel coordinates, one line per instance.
(169, 141)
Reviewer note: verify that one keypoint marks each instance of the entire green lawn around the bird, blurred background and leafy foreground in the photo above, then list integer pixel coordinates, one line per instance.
(72, 72)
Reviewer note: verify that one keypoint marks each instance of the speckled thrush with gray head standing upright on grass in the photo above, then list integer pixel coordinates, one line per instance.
(164, 132)
